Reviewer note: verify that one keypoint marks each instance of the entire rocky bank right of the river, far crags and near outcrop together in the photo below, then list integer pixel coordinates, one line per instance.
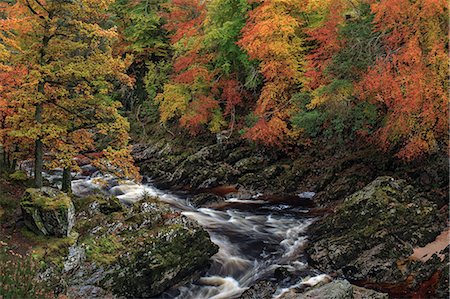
(375, 223)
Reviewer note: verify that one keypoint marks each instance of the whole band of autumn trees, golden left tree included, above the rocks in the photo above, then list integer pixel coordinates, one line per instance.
(281, 73)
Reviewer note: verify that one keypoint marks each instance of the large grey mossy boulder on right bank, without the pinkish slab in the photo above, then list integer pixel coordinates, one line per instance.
(373, 231)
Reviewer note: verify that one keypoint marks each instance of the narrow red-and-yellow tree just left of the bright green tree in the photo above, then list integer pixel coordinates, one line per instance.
(188, 94)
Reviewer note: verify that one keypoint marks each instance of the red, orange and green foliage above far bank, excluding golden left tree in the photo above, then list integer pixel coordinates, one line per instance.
(369, 69)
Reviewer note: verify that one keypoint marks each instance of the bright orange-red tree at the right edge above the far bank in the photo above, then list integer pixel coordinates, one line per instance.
(410, 82)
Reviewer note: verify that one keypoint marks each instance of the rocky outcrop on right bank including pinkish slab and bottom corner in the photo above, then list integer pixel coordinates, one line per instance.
(373, 238)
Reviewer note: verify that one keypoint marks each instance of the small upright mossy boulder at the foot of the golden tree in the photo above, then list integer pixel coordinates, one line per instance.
(48, 211)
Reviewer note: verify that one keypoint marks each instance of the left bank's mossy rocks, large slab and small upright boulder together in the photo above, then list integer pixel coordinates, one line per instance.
(113, 250)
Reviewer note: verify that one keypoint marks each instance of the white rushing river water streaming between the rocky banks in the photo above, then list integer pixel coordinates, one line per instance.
(255, 236)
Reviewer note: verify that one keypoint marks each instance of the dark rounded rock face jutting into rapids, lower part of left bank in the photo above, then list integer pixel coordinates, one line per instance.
(159, 261)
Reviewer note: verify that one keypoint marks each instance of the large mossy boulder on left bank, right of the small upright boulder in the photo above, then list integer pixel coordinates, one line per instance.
(136, 252)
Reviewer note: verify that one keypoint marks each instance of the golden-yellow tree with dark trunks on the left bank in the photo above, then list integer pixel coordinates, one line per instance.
(64, 99)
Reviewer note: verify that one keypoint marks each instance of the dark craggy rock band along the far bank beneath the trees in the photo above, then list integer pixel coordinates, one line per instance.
(331, 173)
